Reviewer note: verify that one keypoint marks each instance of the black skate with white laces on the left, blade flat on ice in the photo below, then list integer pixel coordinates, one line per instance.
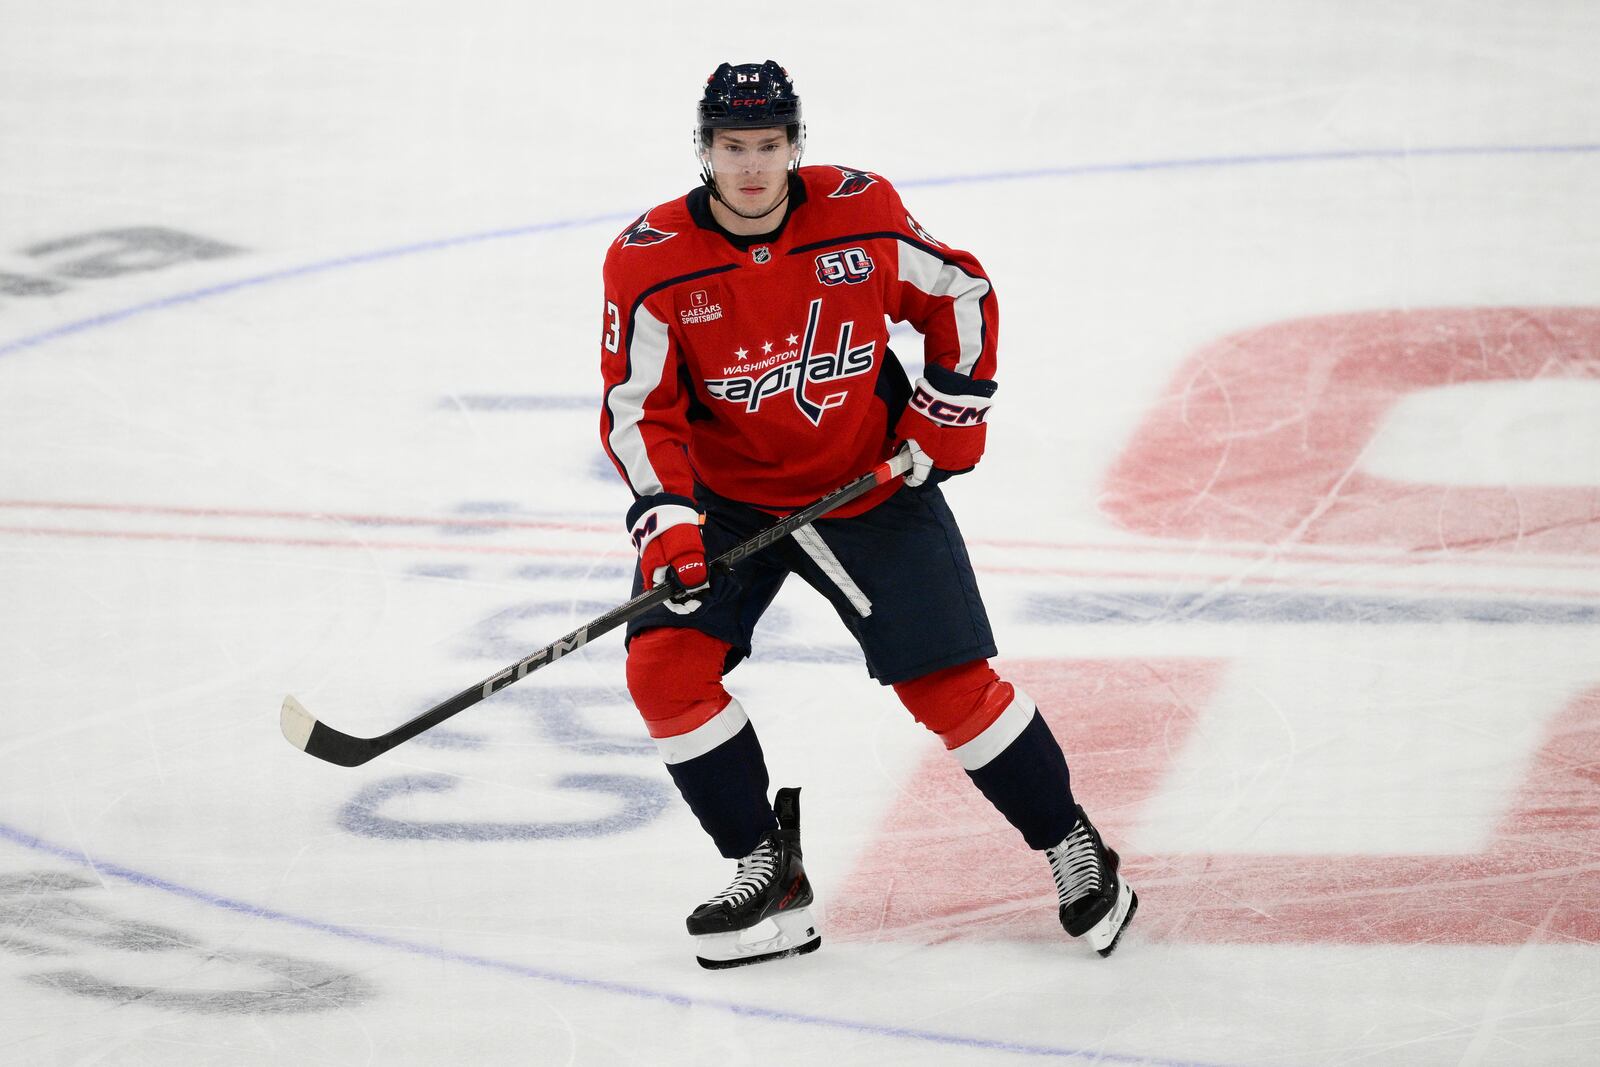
(766, 914)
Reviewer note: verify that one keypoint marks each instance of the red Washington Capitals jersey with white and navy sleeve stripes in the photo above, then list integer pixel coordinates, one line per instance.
(761, 367)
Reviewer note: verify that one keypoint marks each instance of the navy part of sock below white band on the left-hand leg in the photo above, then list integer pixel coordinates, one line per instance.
(727, 793)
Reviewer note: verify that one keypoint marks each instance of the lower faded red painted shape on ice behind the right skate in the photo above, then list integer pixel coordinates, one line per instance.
(1124, 721)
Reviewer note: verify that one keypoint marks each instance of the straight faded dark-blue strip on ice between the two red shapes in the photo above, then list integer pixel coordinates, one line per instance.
(1292, 607)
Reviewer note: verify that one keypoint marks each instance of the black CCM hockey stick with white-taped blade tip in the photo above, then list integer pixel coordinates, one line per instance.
(326, 743)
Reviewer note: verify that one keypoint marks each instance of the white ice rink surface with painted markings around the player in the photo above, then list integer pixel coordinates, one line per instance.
(1290, 522)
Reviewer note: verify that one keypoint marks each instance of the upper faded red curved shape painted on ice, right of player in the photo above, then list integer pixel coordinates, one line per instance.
(1238, 452)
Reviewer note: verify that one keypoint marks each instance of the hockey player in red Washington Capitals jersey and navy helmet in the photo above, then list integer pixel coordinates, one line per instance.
(748, 374)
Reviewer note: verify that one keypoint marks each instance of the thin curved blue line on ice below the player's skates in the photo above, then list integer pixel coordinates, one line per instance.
(574, 981)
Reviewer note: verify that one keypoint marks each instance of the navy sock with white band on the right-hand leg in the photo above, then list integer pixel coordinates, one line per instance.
(1028, 780)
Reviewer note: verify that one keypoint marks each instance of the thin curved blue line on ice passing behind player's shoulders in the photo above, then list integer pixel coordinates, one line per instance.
(324, 266)
